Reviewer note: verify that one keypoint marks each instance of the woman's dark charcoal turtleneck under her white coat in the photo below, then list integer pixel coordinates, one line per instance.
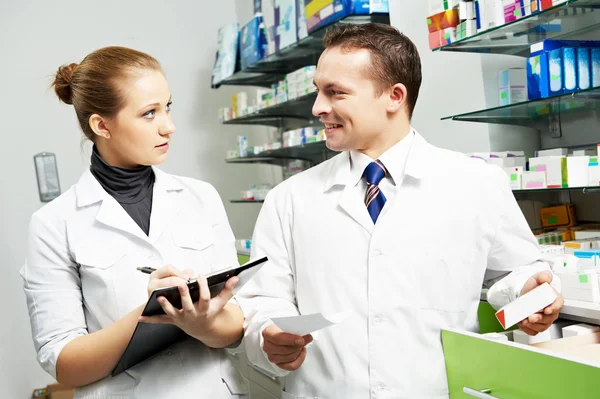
(131, 187)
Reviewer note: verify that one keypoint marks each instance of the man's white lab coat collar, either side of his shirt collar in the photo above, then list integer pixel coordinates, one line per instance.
(417, 164)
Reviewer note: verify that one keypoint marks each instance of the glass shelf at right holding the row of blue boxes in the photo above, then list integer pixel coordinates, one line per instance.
(530, 113)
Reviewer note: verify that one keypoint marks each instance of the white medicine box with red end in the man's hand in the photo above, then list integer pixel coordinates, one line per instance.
(526, 305)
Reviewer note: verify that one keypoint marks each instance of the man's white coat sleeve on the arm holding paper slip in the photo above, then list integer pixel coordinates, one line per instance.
(271, 292)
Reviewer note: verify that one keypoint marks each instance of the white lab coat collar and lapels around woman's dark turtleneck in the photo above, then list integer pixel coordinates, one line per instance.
(89, 191)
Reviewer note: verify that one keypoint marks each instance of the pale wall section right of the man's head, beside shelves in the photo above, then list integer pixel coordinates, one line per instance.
(452, 84)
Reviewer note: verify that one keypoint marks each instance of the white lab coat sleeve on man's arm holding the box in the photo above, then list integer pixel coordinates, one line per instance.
(514, 255)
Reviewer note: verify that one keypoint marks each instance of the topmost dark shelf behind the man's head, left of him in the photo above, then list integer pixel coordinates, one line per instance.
(306, 51)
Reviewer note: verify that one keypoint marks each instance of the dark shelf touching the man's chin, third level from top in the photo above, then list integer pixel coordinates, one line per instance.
(312, 152)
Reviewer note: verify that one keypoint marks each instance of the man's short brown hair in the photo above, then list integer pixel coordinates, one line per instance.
(394, 56)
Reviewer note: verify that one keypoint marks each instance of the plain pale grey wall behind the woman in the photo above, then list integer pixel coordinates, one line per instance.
(38, 36)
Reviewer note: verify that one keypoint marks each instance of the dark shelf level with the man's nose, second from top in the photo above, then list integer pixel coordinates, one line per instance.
(290, 115)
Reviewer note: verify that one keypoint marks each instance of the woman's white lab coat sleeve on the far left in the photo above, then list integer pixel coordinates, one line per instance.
(53, 292)
